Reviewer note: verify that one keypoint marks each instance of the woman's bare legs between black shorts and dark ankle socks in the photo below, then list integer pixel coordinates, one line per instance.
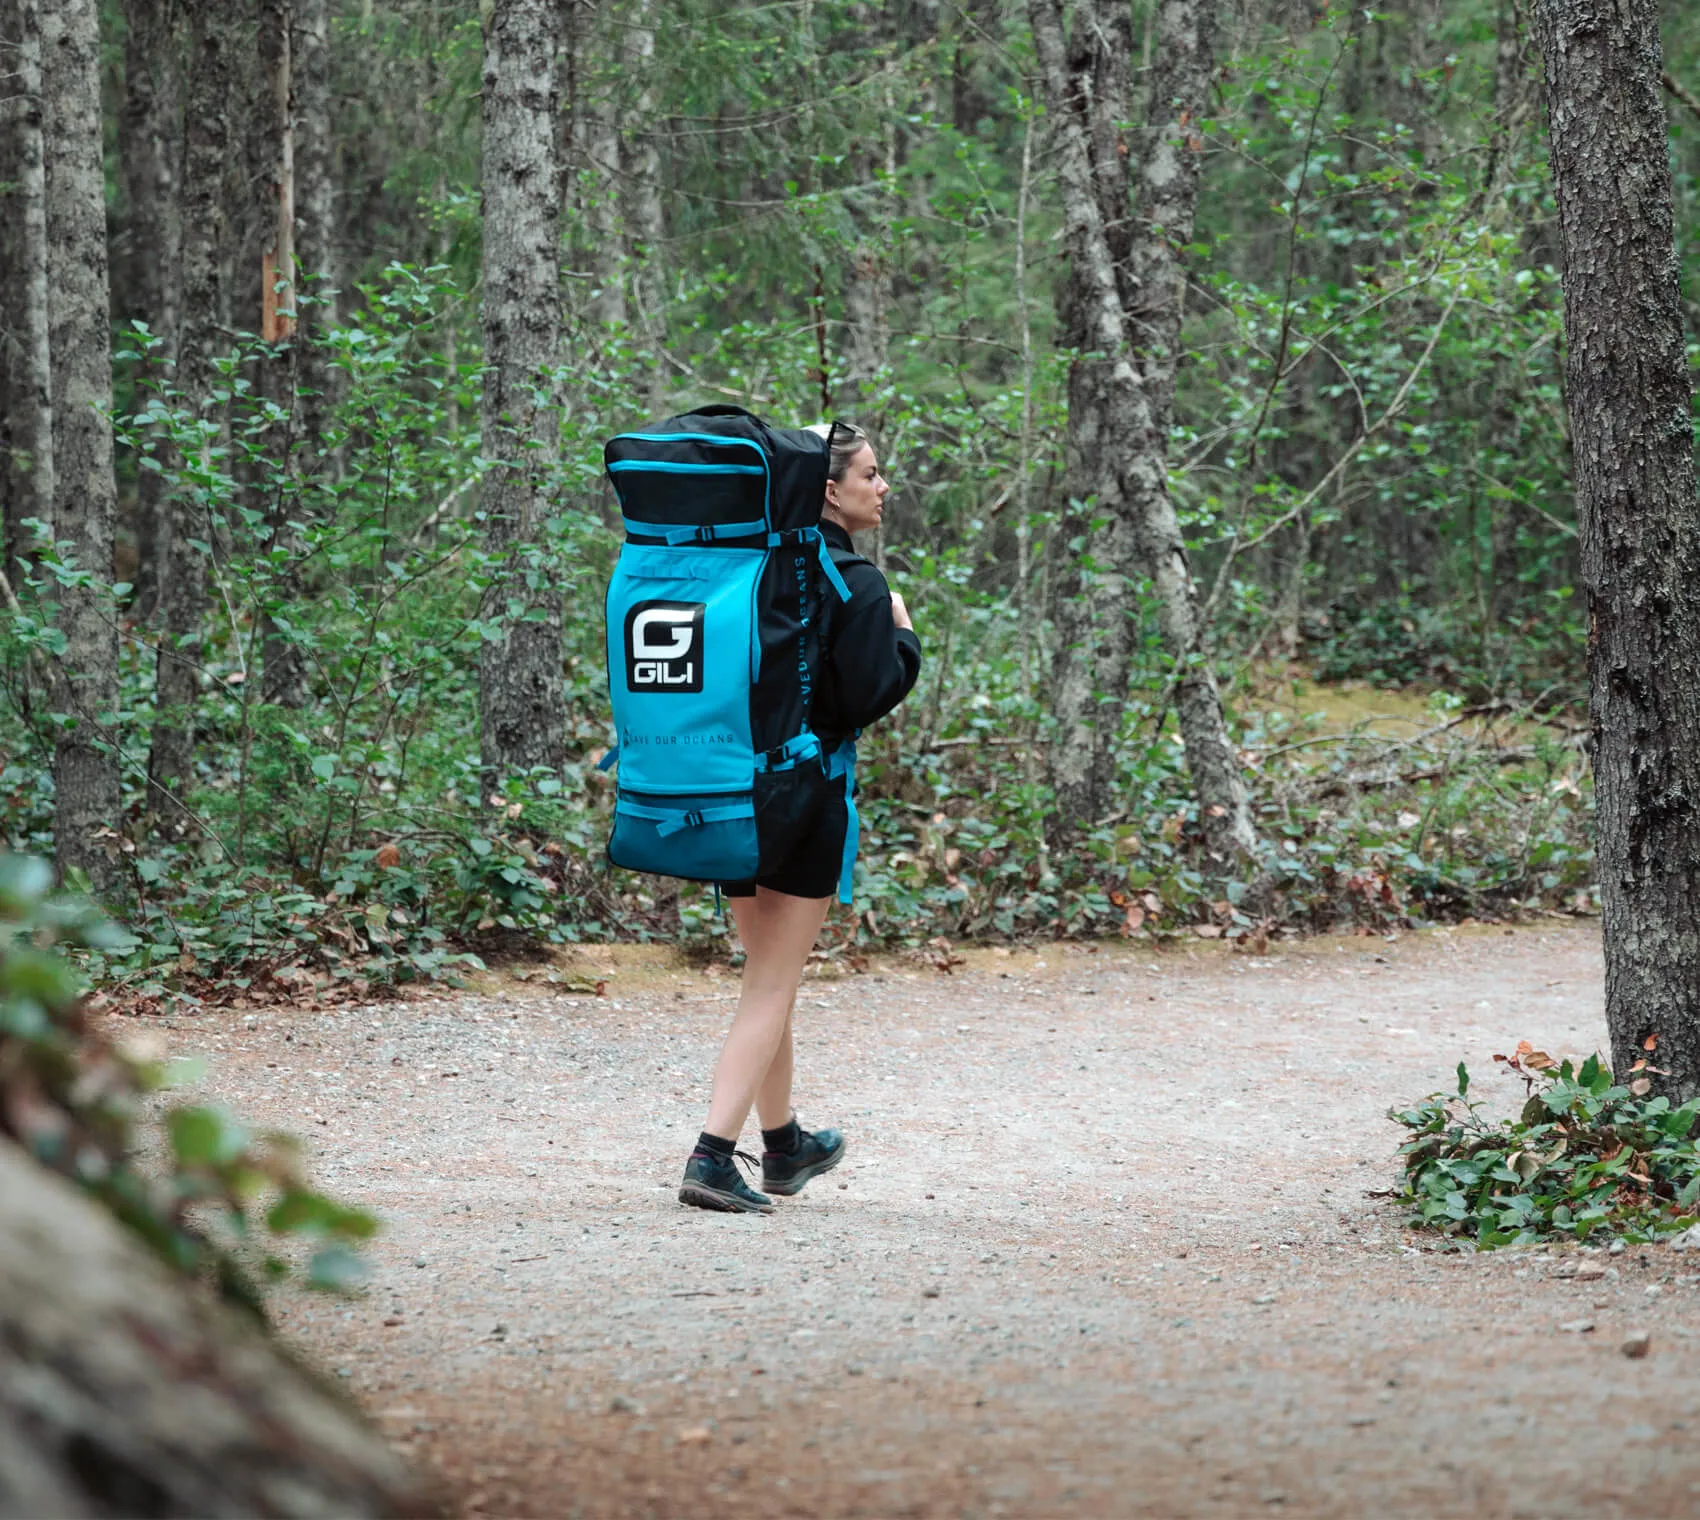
(778, 934)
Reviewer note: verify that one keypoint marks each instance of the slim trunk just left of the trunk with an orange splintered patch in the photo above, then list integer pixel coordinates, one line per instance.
(207, 149)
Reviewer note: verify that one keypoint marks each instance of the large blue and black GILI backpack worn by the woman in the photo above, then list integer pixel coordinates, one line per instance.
(715, 625)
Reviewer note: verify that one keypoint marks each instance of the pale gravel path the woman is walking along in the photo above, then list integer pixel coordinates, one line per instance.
(1108, 1242)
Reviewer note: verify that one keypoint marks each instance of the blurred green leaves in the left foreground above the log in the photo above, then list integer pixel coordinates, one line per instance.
(215, 1200)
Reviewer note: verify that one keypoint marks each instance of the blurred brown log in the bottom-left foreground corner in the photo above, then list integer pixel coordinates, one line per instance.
(108, 1354)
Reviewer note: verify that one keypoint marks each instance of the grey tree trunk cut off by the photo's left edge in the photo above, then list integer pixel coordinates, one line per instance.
(28, 378)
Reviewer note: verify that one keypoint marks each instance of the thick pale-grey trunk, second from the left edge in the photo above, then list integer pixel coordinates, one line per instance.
(86, 763)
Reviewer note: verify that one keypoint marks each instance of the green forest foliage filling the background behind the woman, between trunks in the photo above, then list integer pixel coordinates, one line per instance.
(1368, 455)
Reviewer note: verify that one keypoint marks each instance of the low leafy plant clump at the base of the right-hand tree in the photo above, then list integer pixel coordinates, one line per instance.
(1587, 1157)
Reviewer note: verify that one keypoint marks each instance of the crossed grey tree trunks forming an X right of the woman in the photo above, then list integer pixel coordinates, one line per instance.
(1123, 305)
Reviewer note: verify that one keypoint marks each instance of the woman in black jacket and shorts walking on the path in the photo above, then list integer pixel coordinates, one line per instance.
(871, 662)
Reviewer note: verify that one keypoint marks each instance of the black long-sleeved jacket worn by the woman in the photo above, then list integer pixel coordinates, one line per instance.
(871, 664)
